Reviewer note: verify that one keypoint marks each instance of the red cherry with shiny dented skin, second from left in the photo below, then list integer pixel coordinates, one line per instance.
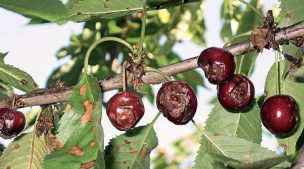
(124, 110)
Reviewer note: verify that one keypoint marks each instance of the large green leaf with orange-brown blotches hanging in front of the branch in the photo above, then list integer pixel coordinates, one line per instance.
(80, 133)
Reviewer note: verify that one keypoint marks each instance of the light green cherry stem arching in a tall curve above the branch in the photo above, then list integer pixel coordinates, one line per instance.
(86, 59)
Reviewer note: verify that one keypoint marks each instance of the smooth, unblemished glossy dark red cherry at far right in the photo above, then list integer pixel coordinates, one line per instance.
(279, 115)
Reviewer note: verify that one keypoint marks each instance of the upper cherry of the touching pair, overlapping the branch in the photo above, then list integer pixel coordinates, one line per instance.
(217, 63)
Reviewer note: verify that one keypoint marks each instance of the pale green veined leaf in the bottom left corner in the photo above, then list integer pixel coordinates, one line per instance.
(26, 152)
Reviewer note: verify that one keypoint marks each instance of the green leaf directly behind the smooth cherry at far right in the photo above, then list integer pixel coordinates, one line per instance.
(295, 89)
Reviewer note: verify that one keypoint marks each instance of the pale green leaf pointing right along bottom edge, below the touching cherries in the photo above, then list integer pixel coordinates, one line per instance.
(235, 148)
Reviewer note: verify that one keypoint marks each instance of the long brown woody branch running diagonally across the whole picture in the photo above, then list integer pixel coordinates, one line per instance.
(48, 96)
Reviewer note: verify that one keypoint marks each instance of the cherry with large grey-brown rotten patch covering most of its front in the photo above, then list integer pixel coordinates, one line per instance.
(177, 101)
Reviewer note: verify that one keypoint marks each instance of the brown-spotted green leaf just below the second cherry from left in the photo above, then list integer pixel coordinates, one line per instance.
(132, 149)
